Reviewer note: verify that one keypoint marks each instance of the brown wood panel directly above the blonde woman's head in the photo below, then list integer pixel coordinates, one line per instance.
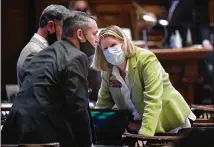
(111, 12)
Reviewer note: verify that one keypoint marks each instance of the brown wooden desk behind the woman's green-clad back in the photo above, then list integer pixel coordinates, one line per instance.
(182, 66)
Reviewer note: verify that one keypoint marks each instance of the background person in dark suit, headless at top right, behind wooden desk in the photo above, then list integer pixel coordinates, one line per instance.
(184, 14)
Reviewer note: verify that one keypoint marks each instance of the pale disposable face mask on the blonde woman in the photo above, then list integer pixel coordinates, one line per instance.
(115, 55)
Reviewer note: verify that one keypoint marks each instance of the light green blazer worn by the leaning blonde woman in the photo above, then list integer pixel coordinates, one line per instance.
(161, 106)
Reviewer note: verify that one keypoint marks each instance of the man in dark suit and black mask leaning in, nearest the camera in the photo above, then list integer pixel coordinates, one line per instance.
(52, 103)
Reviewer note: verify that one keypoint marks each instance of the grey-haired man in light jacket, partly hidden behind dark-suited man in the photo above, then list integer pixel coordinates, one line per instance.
(50, 30)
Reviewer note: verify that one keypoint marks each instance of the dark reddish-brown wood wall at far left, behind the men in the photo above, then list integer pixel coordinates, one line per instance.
(14, 37)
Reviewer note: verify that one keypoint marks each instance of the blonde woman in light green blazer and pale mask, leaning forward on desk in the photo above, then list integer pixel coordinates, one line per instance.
(133, 79)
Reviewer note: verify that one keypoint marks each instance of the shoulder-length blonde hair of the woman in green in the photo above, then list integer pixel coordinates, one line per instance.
(99, 62)
